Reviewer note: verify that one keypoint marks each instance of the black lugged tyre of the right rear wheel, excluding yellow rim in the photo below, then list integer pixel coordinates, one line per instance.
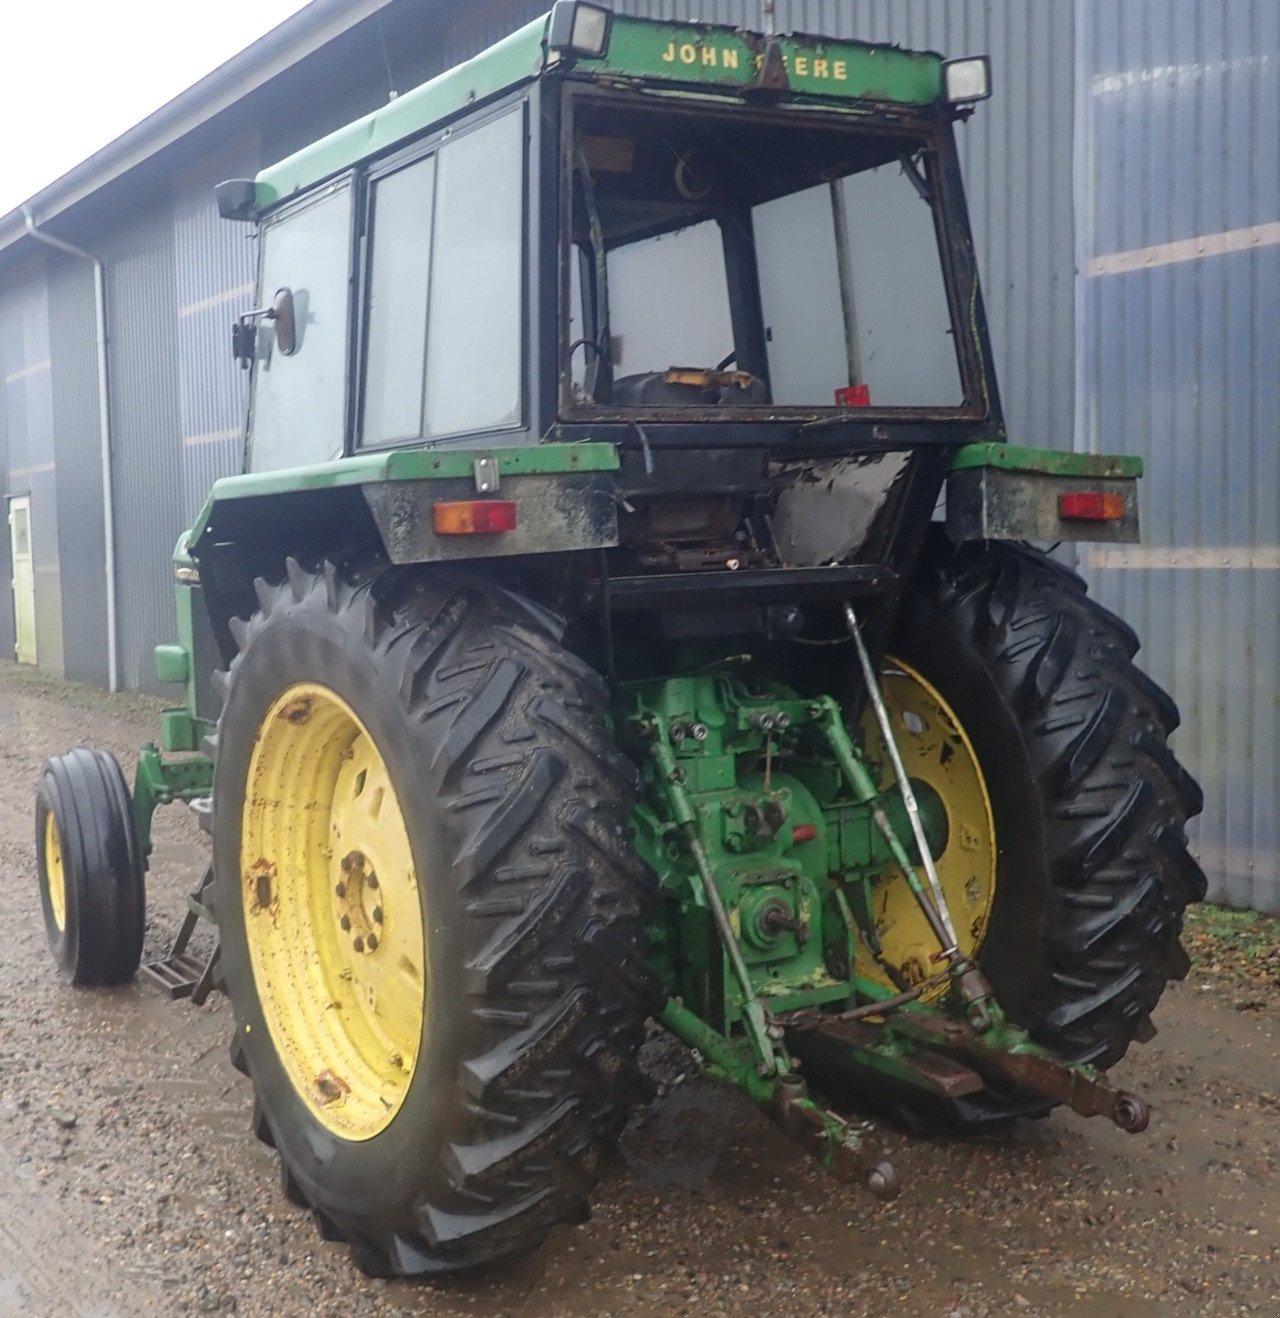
(1090, 806)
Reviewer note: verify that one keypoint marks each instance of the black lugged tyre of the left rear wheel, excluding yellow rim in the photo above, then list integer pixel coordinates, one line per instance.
(516, 806)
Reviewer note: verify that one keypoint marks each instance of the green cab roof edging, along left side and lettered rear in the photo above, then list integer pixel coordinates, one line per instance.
(641, 51)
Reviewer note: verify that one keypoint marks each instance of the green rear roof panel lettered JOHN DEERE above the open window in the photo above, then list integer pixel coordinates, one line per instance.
(713, 57)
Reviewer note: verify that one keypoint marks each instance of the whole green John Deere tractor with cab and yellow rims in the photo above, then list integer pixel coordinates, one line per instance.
(583, 644)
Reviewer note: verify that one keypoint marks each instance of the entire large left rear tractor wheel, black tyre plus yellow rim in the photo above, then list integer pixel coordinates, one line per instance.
(428, 907)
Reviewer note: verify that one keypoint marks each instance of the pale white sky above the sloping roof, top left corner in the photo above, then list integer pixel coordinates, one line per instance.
(76, 74)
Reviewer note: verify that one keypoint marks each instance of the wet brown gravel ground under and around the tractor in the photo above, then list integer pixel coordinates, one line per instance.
(131, 1186)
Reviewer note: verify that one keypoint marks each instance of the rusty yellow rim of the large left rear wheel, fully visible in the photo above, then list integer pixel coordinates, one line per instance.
(333, 913)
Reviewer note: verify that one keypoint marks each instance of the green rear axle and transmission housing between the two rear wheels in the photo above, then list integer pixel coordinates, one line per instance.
(735, 768)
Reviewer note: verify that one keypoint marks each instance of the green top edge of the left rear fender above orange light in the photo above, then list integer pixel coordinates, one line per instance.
(407, 465)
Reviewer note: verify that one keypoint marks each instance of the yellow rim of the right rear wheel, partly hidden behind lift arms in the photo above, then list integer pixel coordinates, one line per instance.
(938, 753)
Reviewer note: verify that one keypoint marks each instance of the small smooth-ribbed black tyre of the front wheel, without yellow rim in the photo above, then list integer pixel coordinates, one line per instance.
(101, 942)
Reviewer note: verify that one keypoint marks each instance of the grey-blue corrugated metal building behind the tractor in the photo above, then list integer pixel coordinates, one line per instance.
(1125, 185)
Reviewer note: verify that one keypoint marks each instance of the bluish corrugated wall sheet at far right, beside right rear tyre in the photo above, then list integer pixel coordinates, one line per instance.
(1179, 212)
